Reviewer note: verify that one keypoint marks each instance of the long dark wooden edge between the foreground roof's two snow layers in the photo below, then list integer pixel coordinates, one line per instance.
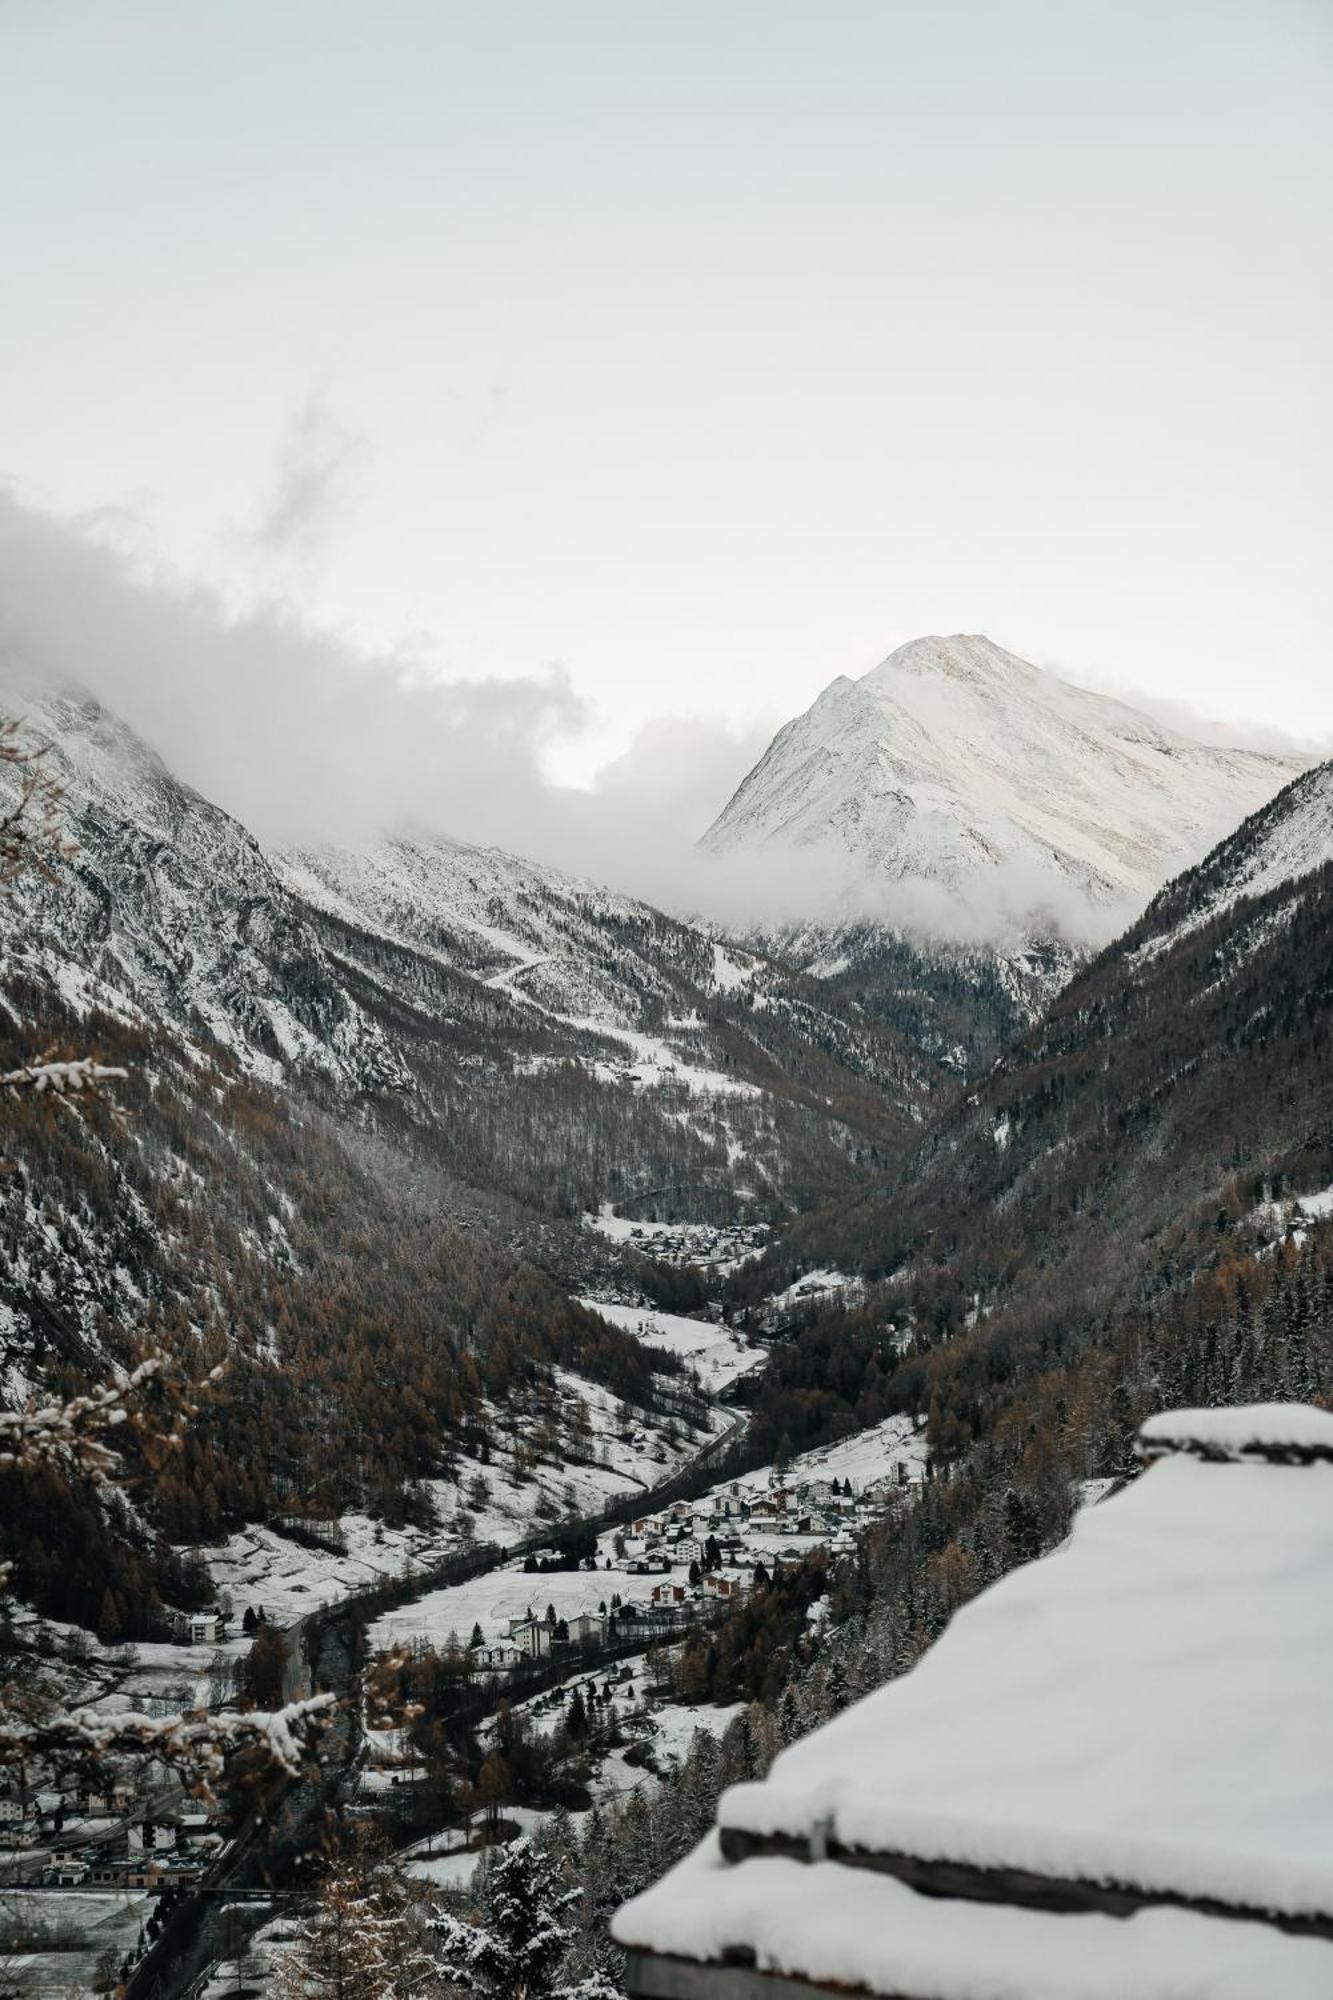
(1018, 1887)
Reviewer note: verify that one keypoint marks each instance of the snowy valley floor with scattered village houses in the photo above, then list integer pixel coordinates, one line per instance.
(591, 1623)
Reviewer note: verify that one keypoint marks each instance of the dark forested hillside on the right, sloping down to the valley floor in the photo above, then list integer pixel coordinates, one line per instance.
(1124, 1151)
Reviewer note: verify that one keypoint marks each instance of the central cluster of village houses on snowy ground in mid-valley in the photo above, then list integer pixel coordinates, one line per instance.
(710, 1551)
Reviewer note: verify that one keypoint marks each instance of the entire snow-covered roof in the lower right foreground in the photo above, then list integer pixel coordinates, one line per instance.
(1102, 1781)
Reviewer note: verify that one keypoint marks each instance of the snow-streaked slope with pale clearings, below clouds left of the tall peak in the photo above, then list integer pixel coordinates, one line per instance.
(577, 991)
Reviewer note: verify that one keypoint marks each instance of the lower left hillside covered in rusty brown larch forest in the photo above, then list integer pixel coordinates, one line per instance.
(209, 1217)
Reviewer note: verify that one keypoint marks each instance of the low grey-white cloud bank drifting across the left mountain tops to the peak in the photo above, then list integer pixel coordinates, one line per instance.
(307, 739)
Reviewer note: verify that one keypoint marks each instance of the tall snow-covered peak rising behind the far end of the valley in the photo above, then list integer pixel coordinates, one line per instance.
(984, 827)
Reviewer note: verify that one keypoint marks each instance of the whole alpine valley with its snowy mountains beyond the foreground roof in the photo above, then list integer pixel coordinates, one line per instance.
(525, 1243)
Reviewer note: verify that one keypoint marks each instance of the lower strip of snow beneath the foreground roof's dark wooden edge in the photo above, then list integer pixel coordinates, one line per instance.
(854, 1929)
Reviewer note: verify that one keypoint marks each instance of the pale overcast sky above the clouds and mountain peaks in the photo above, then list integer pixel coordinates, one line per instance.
(706, 351)
